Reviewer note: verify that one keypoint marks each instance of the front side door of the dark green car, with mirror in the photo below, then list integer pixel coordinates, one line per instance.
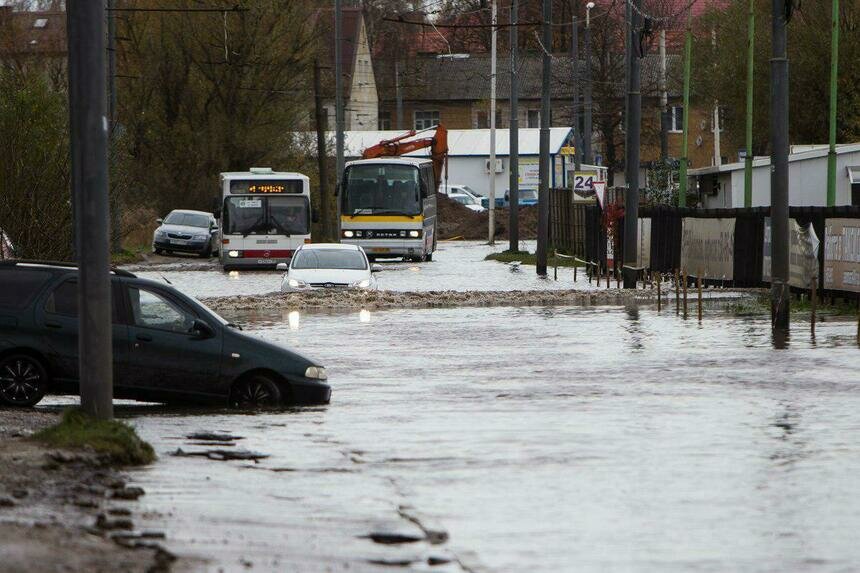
(167, 359)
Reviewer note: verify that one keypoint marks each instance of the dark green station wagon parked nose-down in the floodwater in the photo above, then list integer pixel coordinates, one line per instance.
(167, 347)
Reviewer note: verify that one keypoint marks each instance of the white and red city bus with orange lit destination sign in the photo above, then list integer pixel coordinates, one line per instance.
(265, 217)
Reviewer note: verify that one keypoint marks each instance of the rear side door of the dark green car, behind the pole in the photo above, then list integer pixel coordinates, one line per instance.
(57, 317)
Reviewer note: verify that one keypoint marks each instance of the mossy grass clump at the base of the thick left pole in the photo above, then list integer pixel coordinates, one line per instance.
(116, 440)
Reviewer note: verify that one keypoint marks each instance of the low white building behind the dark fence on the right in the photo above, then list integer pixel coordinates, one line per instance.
(723, 186)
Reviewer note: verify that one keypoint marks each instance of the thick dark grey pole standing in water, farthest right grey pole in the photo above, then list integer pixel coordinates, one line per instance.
(780, 294)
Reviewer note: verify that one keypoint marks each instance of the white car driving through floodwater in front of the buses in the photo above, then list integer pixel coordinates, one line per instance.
(328, 266)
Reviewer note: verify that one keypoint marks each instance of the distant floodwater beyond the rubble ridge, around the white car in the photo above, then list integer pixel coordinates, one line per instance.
(456, 266)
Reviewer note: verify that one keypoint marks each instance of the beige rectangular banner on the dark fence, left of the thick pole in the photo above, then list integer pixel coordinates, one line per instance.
(708, 248)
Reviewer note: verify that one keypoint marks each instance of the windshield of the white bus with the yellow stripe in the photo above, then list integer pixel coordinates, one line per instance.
(382, 189)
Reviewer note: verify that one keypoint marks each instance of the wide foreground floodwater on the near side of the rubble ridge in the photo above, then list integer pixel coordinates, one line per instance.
(541, 440)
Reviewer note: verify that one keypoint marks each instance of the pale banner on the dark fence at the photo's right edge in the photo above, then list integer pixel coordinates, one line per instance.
(842, 254)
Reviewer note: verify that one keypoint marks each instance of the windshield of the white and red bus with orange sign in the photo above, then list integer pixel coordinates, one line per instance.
(266, 215)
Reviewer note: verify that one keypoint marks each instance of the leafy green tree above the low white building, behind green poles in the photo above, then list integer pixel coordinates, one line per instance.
(719, 71)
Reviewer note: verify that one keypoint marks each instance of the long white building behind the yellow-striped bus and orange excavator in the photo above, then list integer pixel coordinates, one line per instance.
(469, 155)
